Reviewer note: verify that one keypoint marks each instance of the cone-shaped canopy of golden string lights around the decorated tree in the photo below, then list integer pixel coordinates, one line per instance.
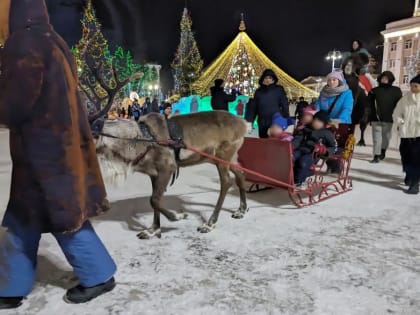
(221, 66)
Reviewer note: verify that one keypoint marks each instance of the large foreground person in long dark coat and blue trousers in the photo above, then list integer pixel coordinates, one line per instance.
(56, 181)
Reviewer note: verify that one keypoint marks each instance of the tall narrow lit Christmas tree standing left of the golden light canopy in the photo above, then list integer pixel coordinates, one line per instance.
(188, 63)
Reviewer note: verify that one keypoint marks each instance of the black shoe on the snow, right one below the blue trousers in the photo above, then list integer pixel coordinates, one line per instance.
(81, 294)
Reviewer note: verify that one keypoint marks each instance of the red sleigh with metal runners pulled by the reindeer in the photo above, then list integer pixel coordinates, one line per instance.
(272, 164)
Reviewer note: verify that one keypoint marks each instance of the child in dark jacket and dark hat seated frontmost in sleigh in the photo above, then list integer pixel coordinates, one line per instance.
(311, 143)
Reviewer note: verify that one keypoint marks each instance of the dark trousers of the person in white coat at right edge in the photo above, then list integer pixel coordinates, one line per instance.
(410, 158)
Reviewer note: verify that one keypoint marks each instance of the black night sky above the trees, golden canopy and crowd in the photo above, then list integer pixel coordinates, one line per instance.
(295, 34)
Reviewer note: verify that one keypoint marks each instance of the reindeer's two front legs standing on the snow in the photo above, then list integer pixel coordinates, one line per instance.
(159, 184)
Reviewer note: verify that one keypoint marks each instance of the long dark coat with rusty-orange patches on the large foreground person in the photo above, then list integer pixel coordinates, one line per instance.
(56, 180)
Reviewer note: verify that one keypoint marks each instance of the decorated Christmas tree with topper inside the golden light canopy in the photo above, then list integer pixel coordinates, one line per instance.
(242, 74)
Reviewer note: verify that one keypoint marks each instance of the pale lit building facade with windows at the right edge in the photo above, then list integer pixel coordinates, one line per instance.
(402, 48)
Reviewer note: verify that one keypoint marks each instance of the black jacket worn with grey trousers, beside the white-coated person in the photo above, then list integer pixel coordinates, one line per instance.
(382, 102)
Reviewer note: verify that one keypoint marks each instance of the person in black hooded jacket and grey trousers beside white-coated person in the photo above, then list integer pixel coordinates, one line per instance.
(383, 100)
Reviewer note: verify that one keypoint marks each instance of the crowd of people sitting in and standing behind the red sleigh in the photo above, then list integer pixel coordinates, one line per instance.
(351, 97)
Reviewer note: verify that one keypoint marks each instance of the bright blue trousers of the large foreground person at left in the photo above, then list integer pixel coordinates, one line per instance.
(83, 249)
